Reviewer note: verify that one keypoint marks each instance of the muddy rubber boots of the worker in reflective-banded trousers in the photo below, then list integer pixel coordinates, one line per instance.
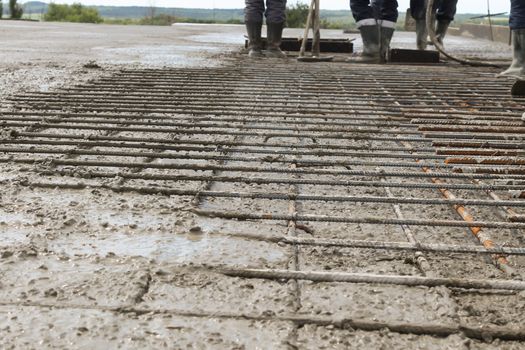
(376, 44)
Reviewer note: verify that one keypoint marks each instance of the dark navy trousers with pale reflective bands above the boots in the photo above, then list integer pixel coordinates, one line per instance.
(365, 12)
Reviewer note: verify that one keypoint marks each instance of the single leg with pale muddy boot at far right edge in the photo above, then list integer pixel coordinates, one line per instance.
(517, 26)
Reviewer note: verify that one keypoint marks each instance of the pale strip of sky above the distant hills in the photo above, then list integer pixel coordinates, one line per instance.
(464, 6)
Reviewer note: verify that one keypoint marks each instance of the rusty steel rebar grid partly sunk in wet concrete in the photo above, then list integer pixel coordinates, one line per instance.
(326, 127)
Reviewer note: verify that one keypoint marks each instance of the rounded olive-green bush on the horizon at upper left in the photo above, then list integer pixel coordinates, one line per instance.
(72, 13)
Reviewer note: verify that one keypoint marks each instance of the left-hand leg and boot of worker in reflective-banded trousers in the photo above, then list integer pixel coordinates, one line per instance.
(367, 24)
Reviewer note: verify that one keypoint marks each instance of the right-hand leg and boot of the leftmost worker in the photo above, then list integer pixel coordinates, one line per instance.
(275, 19)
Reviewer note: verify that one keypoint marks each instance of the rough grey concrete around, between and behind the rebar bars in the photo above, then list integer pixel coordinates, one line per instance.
(93, 268)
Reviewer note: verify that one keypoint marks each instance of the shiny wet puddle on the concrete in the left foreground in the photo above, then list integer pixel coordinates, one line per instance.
(195, 248)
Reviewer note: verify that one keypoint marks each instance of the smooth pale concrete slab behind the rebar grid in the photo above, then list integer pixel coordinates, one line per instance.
(41, 56)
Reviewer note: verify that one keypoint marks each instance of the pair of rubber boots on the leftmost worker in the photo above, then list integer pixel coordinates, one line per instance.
(274, 36)
